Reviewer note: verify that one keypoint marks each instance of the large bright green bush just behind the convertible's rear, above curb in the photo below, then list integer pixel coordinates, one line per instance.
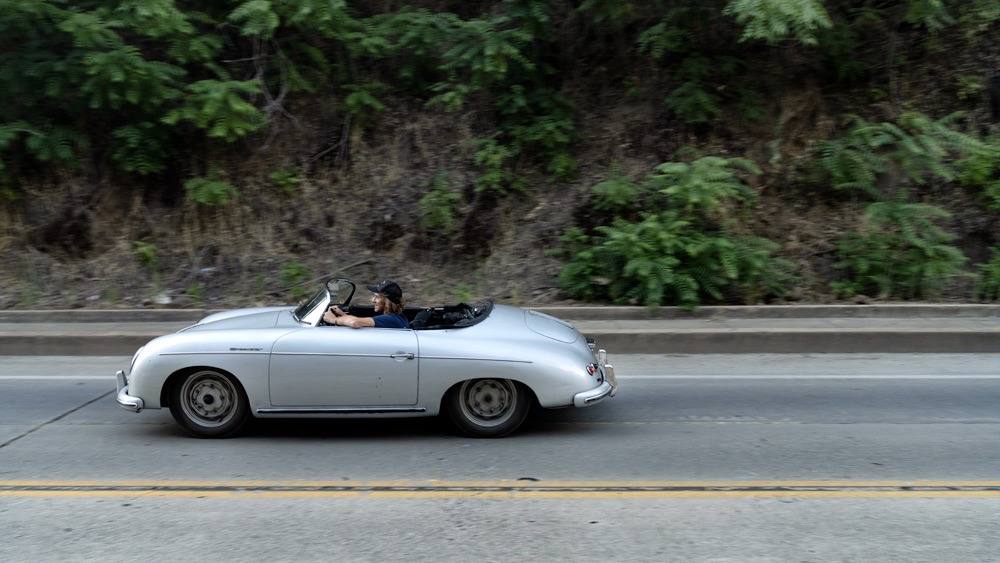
(686, 251)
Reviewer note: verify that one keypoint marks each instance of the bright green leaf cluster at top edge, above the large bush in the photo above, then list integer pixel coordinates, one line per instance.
(774, 20)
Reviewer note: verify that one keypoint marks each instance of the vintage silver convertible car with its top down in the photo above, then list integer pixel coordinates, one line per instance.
(485, 365)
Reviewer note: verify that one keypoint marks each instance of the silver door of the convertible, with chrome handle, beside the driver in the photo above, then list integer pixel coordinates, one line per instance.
(339, 366)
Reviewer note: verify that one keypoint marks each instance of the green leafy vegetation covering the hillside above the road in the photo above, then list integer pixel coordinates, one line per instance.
(168, 101)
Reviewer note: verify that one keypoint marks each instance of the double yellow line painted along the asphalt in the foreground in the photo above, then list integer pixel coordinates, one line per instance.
(503, 489)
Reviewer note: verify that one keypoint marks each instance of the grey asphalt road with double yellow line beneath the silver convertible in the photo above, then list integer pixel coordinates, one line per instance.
(736, 457)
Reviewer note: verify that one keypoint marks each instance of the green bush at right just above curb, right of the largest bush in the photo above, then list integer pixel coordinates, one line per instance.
(901, 252)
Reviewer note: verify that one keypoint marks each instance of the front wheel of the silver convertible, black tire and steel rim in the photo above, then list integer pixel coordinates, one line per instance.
(209, 404)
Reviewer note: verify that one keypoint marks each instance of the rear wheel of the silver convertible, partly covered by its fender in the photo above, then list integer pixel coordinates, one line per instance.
(489, 408)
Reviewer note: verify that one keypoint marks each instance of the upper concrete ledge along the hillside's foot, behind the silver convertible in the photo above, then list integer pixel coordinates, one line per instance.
(578, 313)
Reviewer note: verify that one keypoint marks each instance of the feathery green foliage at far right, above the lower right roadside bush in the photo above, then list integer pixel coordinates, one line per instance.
(879, 158)
